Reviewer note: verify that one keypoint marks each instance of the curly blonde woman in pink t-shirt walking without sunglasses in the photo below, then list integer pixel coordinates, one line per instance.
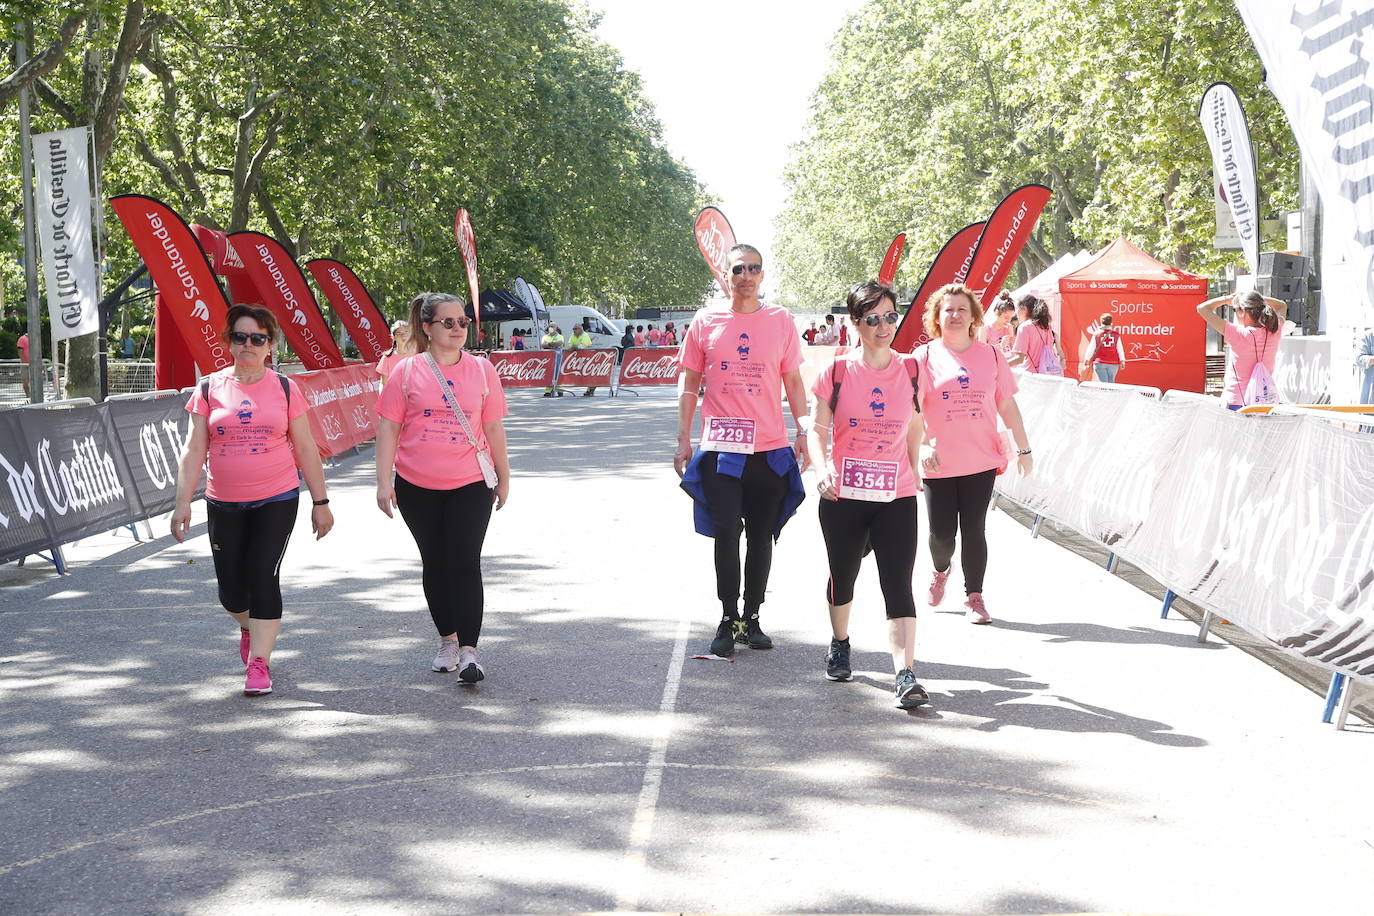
(965, 387)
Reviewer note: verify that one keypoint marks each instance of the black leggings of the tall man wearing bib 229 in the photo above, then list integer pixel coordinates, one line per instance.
(748, 505)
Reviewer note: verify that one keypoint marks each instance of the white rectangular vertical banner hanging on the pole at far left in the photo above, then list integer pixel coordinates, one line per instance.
(63, 164)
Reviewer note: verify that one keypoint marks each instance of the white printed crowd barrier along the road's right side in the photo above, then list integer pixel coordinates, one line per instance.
(1266, 521)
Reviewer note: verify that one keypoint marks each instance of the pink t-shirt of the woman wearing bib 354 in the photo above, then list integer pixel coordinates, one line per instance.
(872, 415)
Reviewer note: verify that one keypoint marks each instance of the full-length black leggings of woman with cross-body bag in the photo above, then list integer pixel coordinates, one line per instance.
(450, 528)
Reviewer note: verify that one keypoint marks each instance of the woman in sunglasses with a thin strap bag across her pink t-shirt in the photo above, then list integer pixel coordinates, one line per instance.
(440, 484)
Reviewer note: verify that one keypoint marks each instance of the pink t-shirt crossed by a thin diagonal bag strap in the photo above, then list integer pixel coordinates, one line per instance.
(433, 451)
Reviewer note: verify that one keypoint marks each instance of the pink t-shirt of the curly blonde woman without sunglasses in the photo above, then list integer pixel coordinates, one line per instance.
(960, 396)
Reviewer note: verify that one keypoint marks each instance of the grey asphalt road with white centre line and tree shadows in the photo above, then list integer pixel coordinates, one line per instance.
(1078, 756)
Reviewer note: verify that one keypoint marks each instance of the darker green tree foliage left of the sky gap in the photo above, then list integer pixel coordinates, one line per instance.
(358, 130)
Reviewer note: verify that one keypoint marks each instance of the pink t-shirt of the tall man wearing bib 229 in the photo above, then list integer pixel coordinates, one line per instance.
(744, 358)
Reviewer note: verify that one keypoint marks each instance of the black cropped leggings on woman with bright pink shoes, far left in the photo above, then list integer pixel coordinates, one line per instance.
(248, 547)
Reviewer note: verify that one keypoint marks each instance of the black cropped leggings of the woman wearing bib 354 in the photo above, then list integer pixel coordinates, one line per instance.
(850, 527)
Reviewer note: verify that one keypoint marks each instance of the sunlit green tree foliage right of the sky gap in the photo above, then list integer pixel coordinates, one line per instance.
(934, 111)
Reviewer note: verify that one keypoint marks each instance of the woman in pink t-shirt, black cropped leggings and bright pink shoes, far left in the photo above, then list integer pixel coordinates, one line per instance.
(249, 425)
